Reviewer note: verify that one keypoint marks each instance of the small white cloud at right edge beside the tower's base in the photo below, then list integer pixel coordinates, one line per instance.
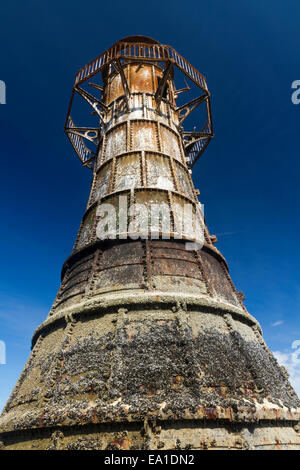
(290, 359)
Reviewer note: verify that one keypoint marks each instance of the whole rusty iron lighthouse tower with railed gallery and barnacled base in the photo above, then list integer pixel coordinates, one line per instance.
(148, 344)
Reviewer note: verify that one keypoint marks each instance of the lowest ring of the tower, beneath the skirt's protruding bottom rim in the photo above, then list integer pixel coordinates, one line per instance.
(193, 434)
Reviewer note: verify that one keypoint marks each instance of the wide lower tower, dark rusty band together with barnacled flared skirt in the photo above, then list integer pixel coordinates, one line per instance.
(137, 365)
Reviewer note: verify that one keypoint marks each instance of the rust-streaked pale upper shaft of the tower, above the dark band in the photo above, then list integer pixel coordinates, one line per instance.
(141, 154)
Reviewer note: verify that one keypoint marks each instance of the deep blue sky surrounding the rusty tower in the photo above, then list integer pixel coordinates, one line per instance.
(248, 176)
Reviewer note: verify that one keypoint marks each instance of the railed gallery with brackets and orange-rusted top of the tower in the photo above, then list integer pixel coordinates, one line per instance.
(137, 76)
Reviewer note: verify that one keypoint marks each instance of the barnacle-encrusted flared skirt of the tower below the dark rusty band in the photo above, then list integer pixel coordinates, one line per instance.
(156, 360)
